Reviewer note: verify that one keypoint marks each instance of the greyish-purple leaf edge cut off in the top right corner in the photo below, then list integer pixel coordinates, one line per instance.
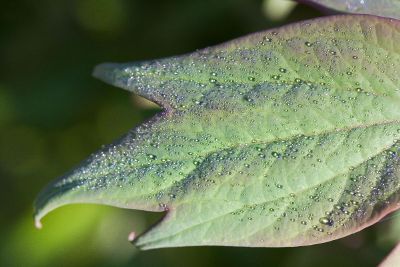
(385, 8)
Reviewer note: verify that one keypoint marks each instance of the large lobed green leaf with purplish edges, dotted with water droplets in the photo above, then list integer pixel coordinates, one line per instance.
(282, 138)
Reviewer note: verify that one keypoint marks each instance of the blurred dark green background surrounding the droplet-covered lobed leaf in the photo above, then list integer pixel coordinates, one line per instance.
(53, 114)
